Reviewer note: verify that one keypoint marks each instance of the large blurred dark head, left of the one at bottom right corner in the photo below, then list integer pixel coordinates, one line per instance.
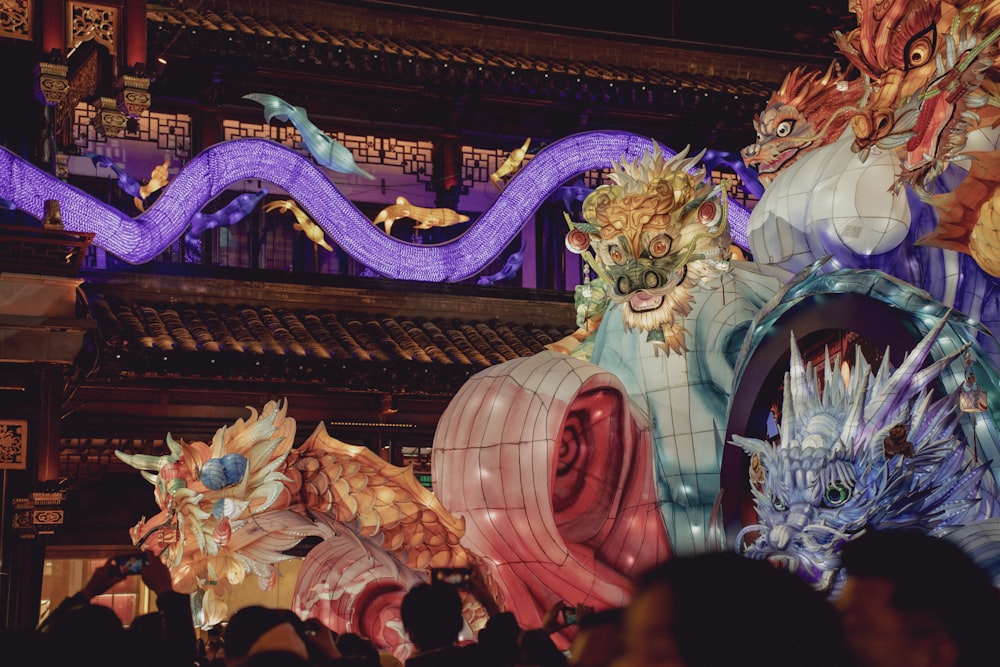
(723, 609)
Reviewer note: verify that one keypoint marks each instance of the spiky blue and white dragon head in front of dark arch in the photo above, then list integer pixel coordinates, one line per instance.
(875, 452)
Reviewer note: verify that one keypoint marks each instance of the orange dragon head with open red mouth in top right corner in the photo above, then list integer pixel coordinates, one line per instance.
(928, 65)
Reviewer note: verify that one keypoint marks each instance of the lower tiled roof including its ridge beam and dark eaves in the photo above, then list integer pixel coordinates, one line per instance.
(331, 335)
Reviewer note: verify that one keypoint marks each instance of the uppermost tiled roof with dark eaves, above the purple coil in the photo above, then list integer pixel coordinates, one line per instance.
(365, 68)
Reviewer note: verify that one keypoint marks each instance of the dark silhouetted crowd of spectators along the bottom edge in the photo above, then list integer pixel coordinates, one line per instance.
(906, 599)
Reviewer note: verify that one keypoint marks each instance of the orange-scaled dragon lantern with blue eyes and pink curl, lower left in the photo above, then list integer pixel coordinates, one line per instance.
(234, 508)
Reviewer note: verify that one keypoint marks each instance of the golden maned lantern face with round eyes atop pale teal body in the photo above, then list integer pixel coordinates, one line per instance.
(657, 233)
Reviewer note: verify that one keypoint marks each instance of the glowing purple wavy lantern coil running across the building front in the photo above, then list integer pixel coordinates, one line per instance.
(141, 239)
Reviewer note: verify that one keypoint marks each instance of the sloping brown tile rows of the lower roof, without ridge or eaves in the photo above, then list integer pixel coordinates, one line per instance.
(247, 336)
